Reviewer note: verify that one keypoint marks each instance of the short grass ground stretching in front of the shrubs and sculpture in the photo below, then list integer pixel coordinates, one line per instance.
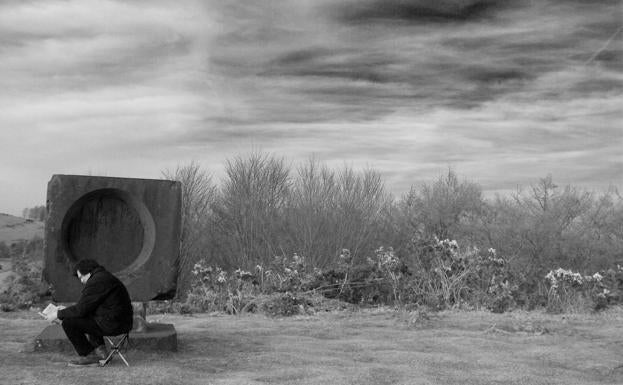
(363, 347)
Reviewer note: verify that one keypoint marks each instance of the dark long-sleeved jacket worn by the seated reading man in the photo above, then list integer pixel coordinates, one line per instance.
(105, 299)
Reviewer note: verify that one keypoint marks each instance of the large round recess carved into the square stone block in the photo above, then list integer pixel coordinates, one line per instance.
(110, 226)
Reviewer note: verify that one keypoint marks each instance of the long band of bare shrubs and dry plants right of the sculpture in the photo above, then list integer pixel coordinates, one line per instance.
(265, 210)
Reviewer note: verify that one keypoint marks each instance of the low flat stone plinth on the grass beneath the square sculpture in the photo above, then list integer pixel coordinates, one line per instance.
(157, 337)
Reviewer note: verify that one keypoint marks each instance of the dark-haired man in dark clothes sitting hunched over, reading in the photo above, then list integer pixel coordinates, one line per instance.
(104, 309)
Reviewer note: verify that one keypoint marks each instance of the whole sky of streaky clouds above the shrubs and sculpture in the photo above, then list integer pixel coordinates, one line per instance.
(503, 92)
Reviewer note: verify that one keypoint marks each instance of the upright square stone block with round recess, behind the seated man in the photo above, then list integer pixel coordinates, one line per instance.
(130, 226)
